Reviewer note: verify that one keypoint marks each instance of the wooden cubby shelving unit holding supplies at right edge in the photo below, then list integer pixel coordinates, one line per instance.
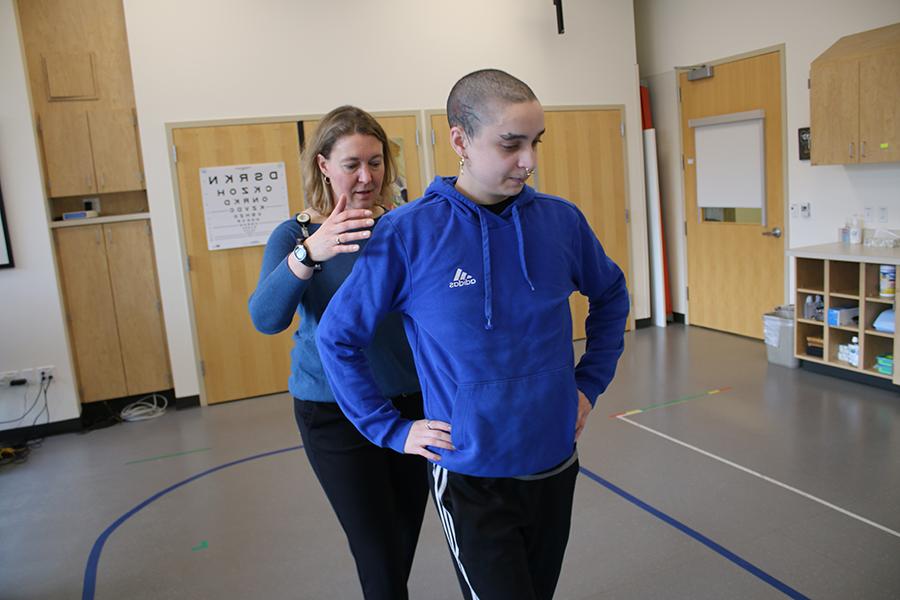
(844, 276)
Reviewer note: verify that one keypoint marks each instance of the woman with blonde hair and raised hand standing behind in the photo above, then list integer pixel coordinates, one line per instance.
(379, 496)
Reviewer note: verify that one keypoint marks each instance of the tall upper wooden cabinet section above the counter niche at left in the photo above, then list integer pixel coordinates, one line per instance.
(80, 77)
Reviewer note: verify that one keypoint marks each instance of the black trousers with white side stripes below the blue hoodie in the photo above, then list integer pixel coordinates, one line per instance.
(507, 537)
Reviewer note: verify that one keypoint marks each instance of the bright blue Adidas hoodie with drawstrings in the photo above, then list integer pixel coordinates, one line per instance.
(485, 304)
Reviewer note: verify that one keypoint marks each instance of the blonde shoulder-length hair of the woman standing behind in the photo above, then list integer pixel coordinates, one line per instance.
(342, 121)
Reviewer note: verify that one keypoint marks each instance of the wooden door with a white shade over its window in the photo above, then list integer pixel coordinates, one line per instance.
(735, 272)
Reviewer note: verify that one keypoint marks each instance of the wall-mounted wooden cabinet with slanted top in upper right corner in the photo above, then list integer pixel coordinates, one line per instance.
(855, 100)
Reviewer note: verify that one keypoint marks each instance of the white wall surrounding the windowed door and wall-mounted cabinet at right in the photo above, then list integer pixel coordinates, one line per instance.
(689, 32)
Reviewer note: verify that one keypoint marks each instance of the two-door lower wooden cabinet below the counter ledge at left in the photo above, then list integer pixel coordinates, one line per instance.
(113, 307)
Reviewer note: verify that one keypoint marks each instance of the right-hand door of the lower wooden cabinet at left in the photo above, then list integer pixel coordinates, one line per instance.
(142, 336)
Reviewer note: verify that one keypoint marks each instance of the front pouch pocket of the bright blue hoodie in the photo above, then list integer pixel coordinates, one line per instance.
(517, 426)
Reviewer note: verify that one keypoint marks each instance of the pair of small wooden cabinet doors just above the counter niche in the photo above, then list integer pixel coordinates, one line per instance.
(90, 152)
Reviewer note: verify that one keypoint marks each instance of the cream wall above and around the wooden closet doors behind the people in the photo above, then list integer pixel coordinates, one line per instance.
(208, 59)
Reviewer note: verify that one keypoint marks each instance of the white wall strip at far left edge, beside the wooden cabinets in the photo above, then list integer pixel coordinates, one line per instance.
(32, 330)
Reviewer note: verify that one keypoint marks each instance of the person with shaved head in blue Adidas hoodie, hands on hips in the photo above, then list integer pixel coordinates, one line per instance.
(481, 268)
